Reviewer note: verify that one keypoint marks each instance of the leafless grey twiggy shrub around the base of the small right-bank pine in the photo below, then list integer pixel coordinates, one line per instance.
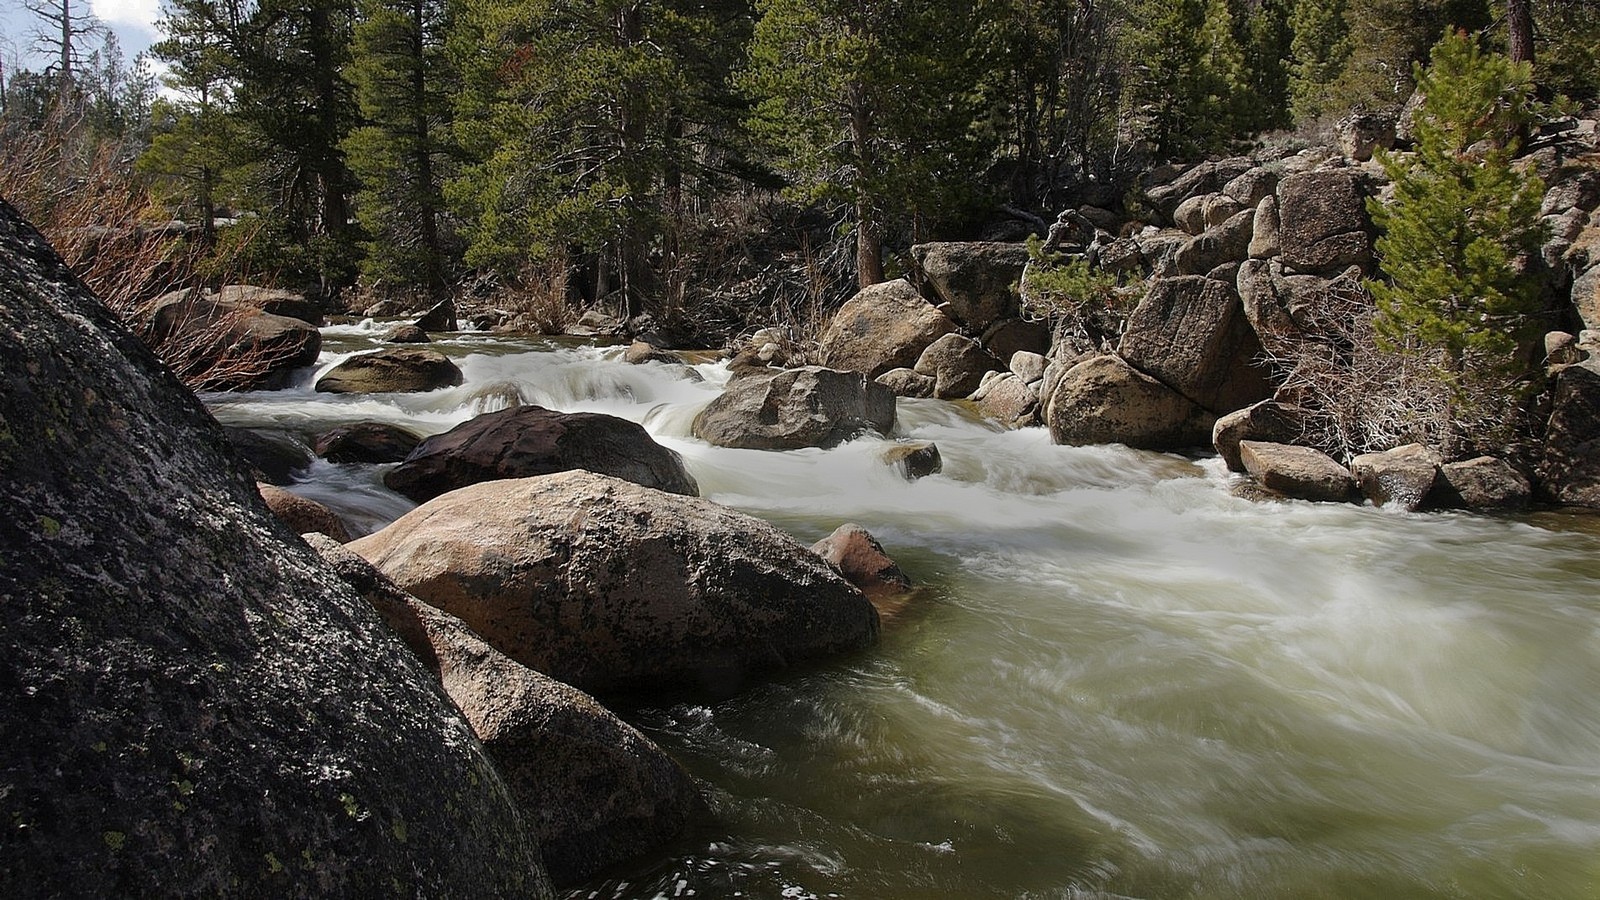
(1364, 398)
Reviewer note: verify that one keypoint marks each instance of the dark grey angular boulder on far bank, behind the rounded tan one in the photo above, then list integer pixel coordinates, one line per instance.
(977, 281)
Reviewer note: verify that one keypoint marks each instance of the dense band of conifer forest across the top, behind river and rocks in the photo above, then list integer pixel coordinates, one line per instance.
(718, 163)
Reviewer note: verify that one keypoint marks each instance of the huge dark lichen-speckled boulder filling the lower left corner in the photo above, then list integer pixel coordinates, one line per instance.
(196, 704)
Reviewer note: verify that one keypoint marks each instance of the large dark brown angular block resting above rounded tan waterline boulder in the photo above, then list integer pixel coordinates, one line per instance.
(1193, 335)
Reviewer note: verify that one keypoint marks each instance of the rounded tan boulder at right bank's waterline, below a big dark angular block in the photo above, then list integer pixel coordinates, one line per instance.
(1106, 401)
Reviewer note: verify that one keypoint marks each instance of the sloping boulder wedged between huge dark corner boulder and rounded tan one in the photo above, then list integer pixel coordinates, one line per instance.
(594, 790)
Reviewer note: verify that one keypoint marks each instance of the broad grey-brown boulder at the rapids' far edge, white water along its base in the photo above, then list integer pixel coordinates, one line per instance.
(794, 409)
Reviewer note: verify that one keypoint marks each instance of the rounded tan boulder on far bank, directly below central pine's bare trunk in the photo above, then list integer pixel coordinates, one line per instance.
(882, 327)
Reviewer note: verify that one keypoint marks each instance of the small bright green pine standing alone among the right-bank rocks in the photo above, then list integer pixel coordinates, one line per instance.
(1462, 219)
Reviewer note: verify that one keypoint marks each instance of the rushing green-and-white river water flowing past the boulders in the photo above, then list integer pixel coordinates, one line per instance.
(1116, 681)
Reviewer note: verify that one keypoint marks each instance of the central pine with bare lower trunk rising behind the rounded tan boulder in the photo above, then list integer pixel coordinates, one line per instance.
(870, 105)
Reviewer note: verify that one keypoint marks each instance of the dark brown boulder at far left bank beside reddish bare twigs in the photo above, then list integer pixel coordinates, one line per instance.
(228, 347)
